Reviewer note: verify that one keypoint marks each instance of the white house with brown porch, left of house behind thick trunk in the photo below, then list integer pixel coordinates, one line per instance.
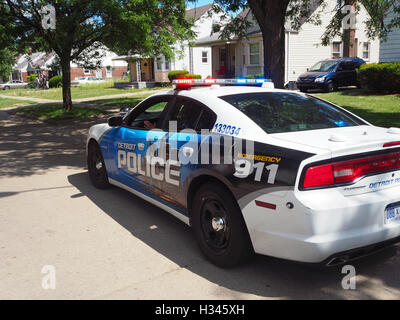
(196, 60)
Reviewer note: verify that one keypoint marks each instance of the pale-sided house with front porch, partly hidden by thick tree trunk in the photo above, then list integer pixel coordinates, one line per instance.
(303, 47)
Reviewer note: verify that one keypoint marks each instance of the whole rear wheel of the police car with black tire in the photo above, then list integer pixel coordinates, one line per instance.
(214, 209)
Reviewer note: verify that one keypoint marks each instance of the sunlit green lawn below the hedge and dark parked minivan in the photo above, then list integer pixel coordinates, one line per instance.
(380, 110)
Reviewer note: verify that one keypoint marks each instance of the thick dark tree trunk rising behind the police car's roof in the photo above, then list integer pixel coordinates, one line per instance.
(270, 16)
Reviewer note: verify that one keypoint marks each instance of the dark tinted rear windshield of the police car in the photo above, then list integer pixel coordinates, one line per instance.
(277, 112)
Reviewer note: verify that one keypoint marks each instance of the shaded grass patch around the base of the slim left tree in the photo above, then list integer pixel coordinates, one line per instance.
(57, 112)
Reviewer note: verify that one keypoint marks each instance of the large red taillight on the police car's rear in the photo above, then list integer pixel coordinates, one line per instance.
(343, 172)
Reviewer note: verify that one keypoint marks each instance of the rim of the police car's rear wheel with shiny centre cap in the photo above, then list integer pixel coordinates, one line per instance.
(215, 224)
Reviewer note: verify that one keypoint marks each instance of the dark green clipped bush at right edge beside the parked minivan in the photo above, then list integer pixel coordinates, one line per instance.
(380, 78)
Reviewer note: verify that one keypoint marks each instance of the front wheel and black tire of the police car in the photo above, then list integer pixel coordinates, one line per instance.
(96, 167)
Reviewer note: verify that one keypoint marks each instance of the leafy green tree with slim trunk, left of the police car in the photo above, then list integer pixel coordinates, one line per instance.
(145, 27)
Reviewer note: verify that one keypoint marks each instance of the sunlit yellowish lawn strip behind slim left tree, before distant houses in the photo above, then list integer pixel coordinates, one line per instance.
(80, 92)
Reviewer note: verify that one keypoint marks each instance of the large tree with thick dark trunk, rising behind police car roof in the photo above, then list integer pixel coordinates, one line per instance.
(271, 16)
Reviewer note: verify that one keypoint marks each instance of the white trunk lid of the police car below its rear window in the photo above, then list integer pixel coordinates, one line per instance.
(342, 141)
